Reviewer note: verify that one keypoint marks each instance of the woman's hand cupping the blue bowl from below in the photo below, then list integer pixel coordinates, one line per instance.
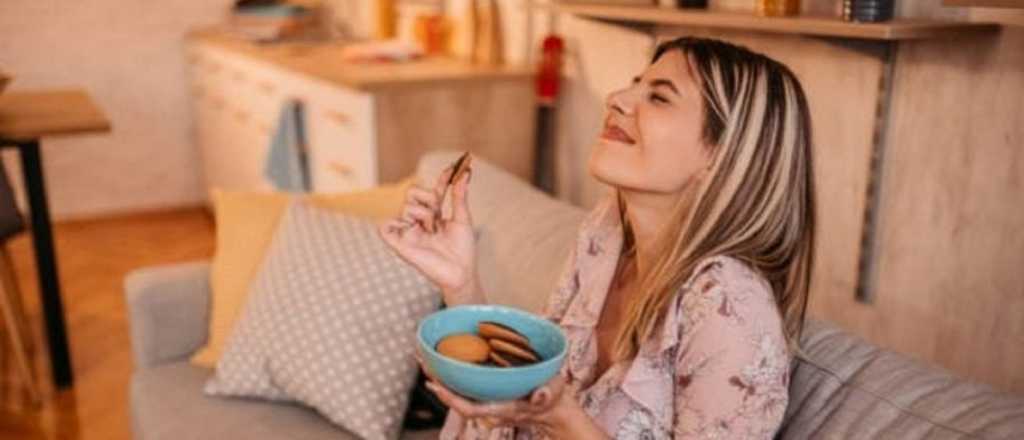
(546, 409)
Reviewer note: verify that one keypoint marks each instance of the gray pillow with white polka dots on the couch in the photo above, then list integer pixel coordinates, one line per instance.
(330, 322)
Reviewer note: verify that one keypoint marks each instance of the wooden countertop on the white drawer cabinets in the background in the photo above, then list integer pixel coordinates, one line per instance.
(323, 61)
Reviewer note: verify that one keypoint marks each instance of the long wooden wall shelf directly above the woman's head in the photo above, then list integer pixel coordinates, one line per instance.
(815, 26)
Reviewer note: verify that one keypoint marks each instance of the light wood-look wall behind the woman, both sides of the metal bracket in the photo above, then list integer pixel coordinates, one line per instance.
(950, 286)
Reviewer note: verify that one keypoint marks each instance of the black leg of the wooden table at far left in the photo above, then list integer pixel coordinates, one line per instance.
(47, 265)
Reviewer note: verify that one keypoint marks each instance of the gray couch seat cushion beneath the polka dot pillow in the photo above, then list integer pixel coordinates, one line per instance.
(168, 404)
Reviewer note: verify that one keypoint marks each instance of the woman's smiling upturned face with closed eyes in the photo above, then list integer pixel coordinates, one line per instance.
(652, 141)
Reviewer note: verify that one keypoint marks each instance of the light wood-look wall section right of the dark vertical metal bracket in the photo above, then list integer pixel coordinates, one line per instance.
(951, 286)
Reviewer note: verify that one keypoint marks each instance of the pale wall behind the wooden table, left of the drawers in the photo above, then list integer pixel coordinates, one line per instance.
(129, 55)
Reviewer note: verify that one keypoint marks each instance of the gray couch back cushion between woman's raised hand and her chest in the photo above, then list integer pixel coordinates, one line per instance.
(525, 236)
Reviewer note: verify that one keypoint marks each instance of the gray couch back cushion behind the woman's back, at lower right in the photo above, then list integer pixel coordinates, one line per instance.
(843, 387)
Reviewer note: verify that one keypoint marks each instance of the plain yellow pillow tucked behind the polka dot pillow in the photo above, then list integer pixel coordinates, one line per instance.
(246, 223)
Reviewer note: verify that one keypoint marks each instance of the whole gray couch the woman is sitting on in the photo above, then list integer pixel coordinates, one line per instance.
(842, 388)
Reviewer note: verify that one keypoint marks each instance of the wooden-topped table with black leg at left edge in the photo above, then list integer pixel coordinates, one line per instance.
(25, 119)
